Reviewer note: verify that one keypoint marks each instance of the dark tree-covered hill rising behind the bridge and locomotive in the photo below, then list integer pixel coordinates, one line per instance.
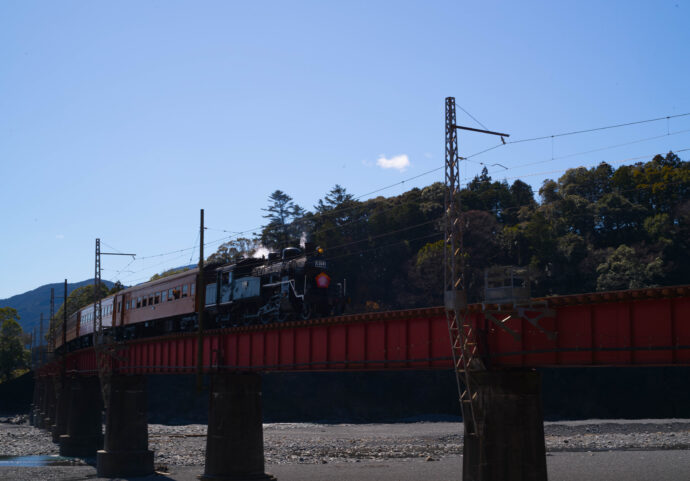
(592, 229)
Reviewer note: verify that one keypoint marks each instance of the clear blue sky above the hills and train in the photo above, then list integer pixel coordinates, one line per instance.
(121, 120)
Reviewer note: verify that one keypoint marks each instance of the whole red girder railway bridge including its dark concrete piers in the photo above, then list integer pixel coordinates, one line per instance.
(624, 328)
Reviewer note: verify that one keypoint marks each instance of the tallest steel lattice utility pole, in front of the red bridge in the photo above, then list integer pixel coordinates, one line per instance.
(462, 334)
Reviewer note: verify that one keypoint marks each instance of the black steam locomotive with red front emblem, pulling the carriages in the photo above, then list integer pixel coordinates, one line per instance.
(294, 284)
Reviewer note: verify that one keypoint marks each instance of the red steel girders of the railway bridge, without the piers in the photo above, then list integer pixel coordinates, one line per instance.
(621, 328)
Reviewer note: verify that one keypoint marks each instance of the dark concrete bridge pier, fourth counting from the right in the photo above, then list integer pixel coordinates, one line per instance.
(84, 418)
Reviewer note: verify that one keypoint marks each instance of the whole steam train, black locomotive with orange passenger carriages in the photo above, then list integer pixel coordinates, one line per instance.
(292, 284)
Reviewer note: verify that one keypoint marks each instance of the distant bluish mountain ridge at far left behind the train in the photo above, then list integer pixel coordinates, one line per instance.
(31, 304)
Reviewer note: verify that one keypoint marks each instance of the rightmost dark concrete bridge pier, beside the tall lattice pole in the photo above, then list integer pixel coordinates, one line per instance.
(510, 427)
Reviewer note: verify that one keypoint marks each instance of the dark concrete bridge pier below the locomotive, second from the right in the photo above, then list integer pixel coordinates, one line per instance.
(234, 442)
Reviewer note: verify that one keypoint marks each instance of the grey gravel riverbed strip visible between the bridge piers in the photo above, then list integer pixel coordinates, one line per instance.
(291, 443)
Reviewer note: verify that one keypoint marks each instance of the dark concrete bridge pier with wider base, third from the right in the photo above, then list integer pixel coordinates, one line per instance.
(126, 452)
